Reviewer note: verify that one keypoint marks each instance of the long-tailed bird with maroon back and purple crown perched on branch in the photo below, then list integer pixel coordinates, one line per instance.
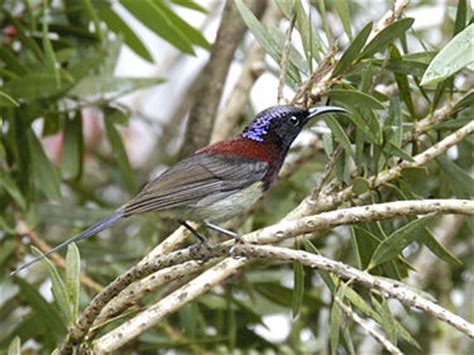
(218, 181)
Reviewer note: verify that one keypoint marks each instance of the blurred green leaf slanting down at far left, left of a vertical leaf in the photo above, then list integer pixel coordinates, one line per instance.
(44, 172)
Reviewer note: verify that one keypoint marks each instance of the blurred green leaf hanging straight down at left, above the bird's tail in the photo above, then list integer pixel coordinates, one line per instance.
(73, 149)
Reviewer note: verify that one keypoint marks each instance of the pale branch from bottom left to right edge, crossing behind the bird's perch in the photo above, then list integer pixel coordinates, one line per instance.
(276, 233)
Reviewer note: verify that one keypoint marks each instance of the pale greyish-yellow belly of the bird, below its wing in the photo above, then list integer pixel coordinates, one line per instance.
(214, 209)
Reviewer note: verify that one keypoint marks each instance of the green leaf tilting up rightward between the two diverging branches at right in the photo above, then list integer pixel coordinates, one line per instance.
(398, 240)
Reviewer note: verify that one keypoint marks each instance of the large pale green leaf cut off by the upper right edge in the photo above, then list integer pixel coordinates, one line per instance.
(456, 55)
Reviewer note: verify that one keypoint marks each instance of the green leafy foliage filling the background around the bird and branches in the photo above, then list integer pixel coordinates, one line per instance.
(58, 60)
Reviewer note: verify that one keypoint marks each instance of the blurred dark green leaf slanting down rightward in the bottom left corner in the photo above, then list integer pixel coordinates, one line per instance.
(49, 316)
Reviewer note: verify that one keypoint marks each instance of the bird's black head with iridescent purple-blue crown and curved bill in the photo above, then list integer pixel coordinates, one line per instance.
(283, 123)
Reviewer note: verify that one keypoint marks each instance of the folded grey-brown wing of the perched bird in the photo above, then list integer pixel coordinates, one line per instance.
(195, 178)
